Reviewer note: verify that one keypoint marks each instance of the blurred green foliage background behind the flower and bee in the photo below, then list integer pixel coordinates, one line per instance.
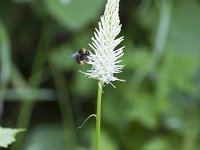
(42, 90)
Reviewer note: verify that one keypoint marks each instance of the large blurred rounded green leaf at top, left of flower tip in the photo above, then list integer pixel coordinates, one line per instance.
(74, 14)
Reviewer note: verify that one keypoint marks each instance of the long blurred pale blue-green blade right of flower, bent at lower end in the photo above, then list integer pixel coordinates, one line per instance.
(159, 44)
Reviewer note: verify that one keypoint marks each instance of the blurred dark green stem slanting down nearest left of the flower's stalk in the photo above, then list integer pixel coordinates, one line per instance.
(65, 106)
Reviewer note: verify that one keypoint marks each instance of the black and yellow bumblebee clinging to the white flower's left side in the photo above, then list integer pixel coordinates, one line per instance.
(81, 56)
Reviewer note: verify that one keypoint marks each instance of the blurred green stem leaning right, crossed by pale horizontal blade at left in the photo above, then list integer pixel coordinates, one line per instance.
(33, 82)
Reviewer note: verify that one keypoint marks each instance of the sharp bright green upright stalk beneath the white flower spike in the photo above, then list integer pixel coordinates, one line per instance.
(98, 118)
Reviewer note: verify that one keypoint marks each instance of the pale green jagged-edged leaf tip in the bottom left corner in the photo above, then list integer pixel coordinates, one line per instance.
(7, 136)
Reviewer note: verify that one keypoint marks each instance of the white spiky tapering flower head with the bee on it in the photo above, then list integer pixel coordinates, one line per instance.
(105, 58)
